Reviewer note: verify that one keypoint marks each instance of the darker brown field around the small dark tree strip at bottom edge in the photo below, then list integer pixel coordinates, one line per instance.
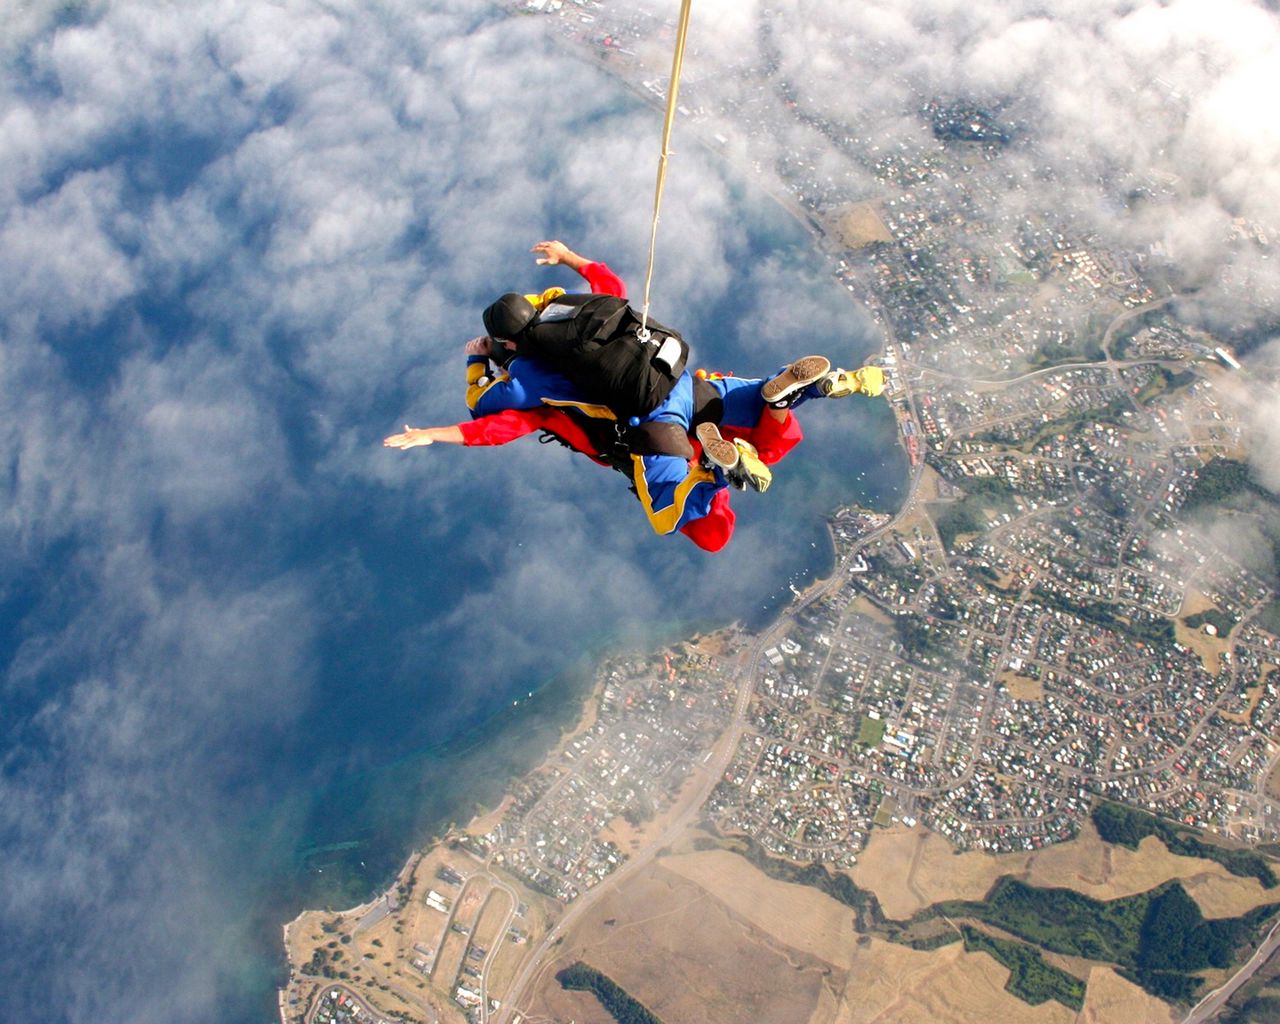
(685, 957)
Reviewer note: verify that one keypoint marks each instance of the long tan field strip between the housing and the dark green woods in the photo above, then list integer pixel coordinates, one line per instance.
(908, 870)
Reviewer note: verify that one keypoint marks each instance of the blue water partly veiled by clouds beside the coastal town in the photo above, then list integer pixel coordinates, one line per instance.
(218, 714)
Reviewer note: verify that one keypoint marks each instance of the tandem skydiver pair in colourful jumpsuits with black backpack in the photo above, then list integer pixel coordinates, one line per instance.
(584, 371)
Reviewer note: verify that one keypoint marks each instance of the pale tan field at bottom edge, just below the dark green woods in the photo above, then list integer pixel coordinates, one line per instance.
(894, 985)
